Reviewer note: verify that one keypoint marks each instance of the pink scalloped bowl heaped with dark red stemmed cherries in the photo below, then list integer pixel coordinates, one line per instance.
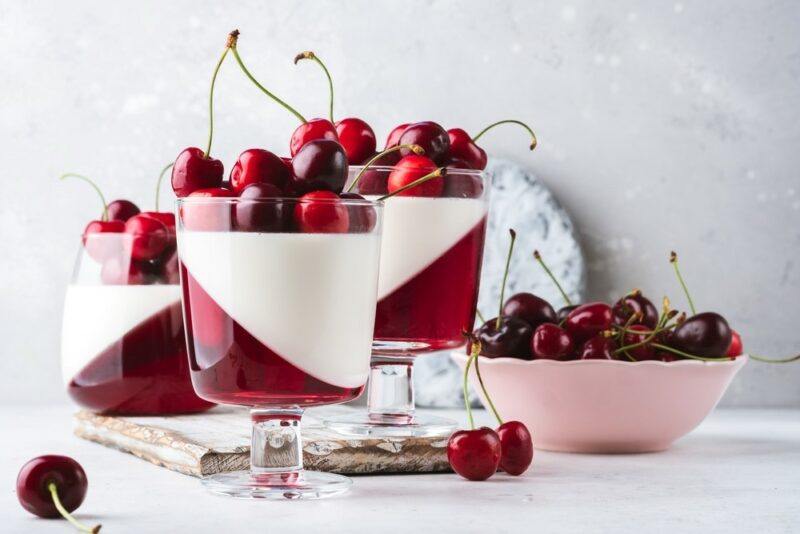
(605, 378)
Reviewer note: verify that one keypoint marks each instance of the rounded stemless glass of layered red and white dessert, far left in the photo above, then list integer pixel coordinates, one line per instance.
(123, 349)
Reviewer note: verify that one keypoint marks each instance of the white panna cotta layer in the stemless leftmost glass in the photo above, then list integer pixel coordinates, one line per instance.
(97, 316)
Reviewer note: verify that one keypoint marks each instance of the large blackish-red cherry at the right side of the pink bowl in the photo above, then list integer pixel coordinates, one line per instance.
(705, 334)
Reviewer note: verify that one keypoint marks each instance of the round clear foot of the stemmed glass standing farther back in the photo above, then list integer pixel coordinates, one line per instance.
(366, 425)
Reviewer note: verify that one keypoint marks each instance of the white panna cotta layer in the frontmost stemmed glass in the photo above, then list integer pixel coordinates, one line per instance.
(310, 298)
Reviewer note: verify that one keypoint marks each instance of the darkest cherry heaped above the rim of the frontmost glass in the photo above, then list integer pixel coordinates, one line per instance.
(319, 165)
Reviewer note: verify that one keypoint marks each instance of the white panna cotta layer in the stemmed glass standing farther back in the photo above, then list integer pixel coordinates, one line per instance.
(417, 231)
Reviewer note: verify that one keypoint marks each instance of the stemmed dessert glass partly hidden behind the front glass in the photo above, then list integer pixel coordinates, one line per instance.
(427, 293)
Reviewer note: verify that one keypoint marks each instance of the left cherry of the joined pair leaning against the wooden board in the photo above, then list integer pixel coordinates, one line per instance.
(474, 454)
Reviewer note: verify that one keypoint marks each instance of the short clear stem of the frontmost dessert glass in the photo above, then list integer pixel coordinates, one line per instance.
(277, 446)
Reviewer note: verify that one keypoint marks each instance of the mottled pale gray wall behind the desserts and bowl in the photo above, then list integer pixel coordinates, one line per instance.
(662, 125)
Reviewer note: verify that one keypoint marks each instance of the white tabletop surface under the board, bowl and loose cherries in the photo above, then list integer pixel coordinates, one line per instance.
(738, 472)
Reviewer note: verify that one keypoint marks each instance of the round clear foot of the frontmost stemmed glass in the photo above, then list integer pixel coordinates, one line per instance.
(278, 486)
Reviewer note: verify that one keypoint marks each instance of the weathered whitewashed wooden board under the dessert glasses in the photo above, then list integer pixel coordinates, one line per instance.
(219, 440)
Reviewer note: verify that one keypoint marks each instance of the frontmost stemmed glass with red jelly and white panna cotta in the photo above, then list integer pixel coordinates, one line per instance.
(279, 301)
